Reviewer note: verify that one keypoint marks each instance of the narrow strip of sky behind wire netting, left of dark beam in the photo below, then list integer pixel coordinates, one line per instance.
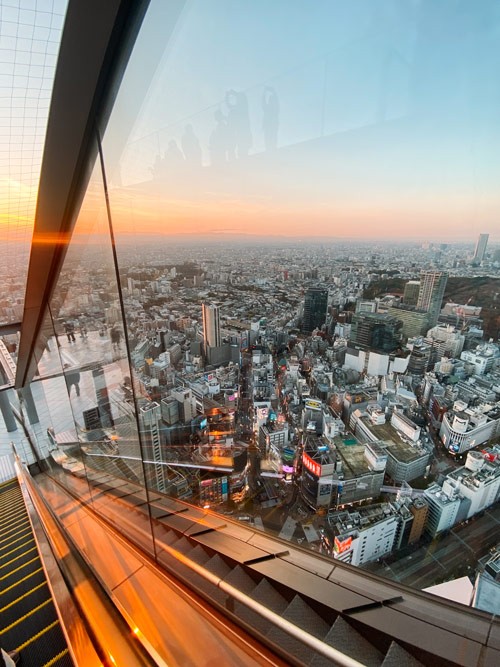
(30, 33)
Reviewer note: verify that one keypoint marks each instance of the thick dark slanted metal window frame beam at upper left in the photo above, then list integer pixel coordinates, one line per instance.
(96, 42)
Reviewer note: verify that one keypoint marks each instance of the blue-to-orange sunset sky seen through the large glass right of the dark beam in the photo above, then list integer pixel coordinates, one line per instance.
(383, 122)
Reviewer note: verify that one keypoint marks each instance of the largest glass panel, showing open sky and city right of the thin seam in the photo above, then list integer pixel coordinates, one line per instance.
(266, 163)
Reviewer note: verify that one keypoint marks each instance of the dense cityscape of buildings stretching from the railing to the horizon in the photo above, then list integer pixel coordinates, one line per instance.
(334, 394)
